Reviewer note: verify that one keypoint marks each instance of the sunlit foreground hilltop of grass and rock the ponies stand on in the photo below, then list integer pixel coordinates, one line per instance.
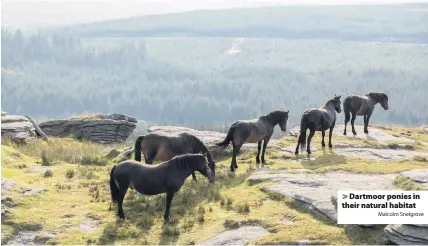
(64, 199)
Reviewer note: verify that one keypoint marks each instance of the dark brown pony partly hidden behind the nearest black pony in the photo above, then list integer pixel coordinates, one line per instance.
(162, 147)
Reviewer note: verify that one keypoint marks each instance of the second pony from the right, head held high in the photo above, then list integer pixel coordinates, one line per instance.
(318, 119)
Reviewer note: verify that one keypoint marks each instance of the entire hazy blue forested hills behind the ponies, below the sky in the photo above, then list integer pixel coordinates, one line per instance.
(207, 69)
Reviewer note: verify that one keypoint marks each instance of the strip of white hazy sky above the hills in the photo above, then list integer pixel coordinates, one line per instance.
(43, 13)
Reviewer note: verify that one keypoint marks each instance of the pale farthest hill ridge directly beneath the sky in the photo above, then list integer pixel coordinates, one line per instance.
(399, 23)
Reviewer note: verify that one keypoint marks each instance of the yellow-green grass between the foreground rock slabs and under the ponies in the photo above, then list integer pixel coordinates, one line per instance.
(78, 190)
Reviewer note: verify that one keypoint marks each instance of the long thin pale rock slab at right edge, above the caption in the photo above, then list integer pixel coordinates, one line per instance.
(379, 154)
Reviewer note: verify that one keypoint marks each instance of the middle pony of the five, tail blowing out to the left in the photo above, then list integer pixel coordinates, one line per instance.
(254, 131)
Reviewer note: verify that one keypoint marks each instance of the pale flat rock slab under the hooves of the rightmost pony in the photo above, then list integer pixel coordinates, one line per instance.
(374, 134)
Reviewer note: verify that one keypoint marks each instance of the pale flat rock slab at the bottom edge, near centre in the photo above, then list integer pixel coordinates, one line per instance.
(239, 236)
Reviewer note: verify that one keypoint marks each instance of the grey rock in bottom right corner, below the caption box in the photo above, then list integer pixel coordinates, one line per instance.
(407, 234)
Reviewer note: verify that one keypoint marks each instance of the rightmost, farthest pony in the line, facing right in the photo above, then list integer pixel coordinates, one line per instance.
(362, 105)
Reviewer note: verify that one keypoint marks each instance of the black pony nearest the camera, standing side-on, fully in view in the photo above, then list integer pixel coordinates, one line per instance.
(167, 177)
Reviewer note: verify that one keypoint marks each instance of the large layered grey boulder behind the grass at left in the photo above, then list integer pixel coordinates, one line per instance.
(113, 128)
